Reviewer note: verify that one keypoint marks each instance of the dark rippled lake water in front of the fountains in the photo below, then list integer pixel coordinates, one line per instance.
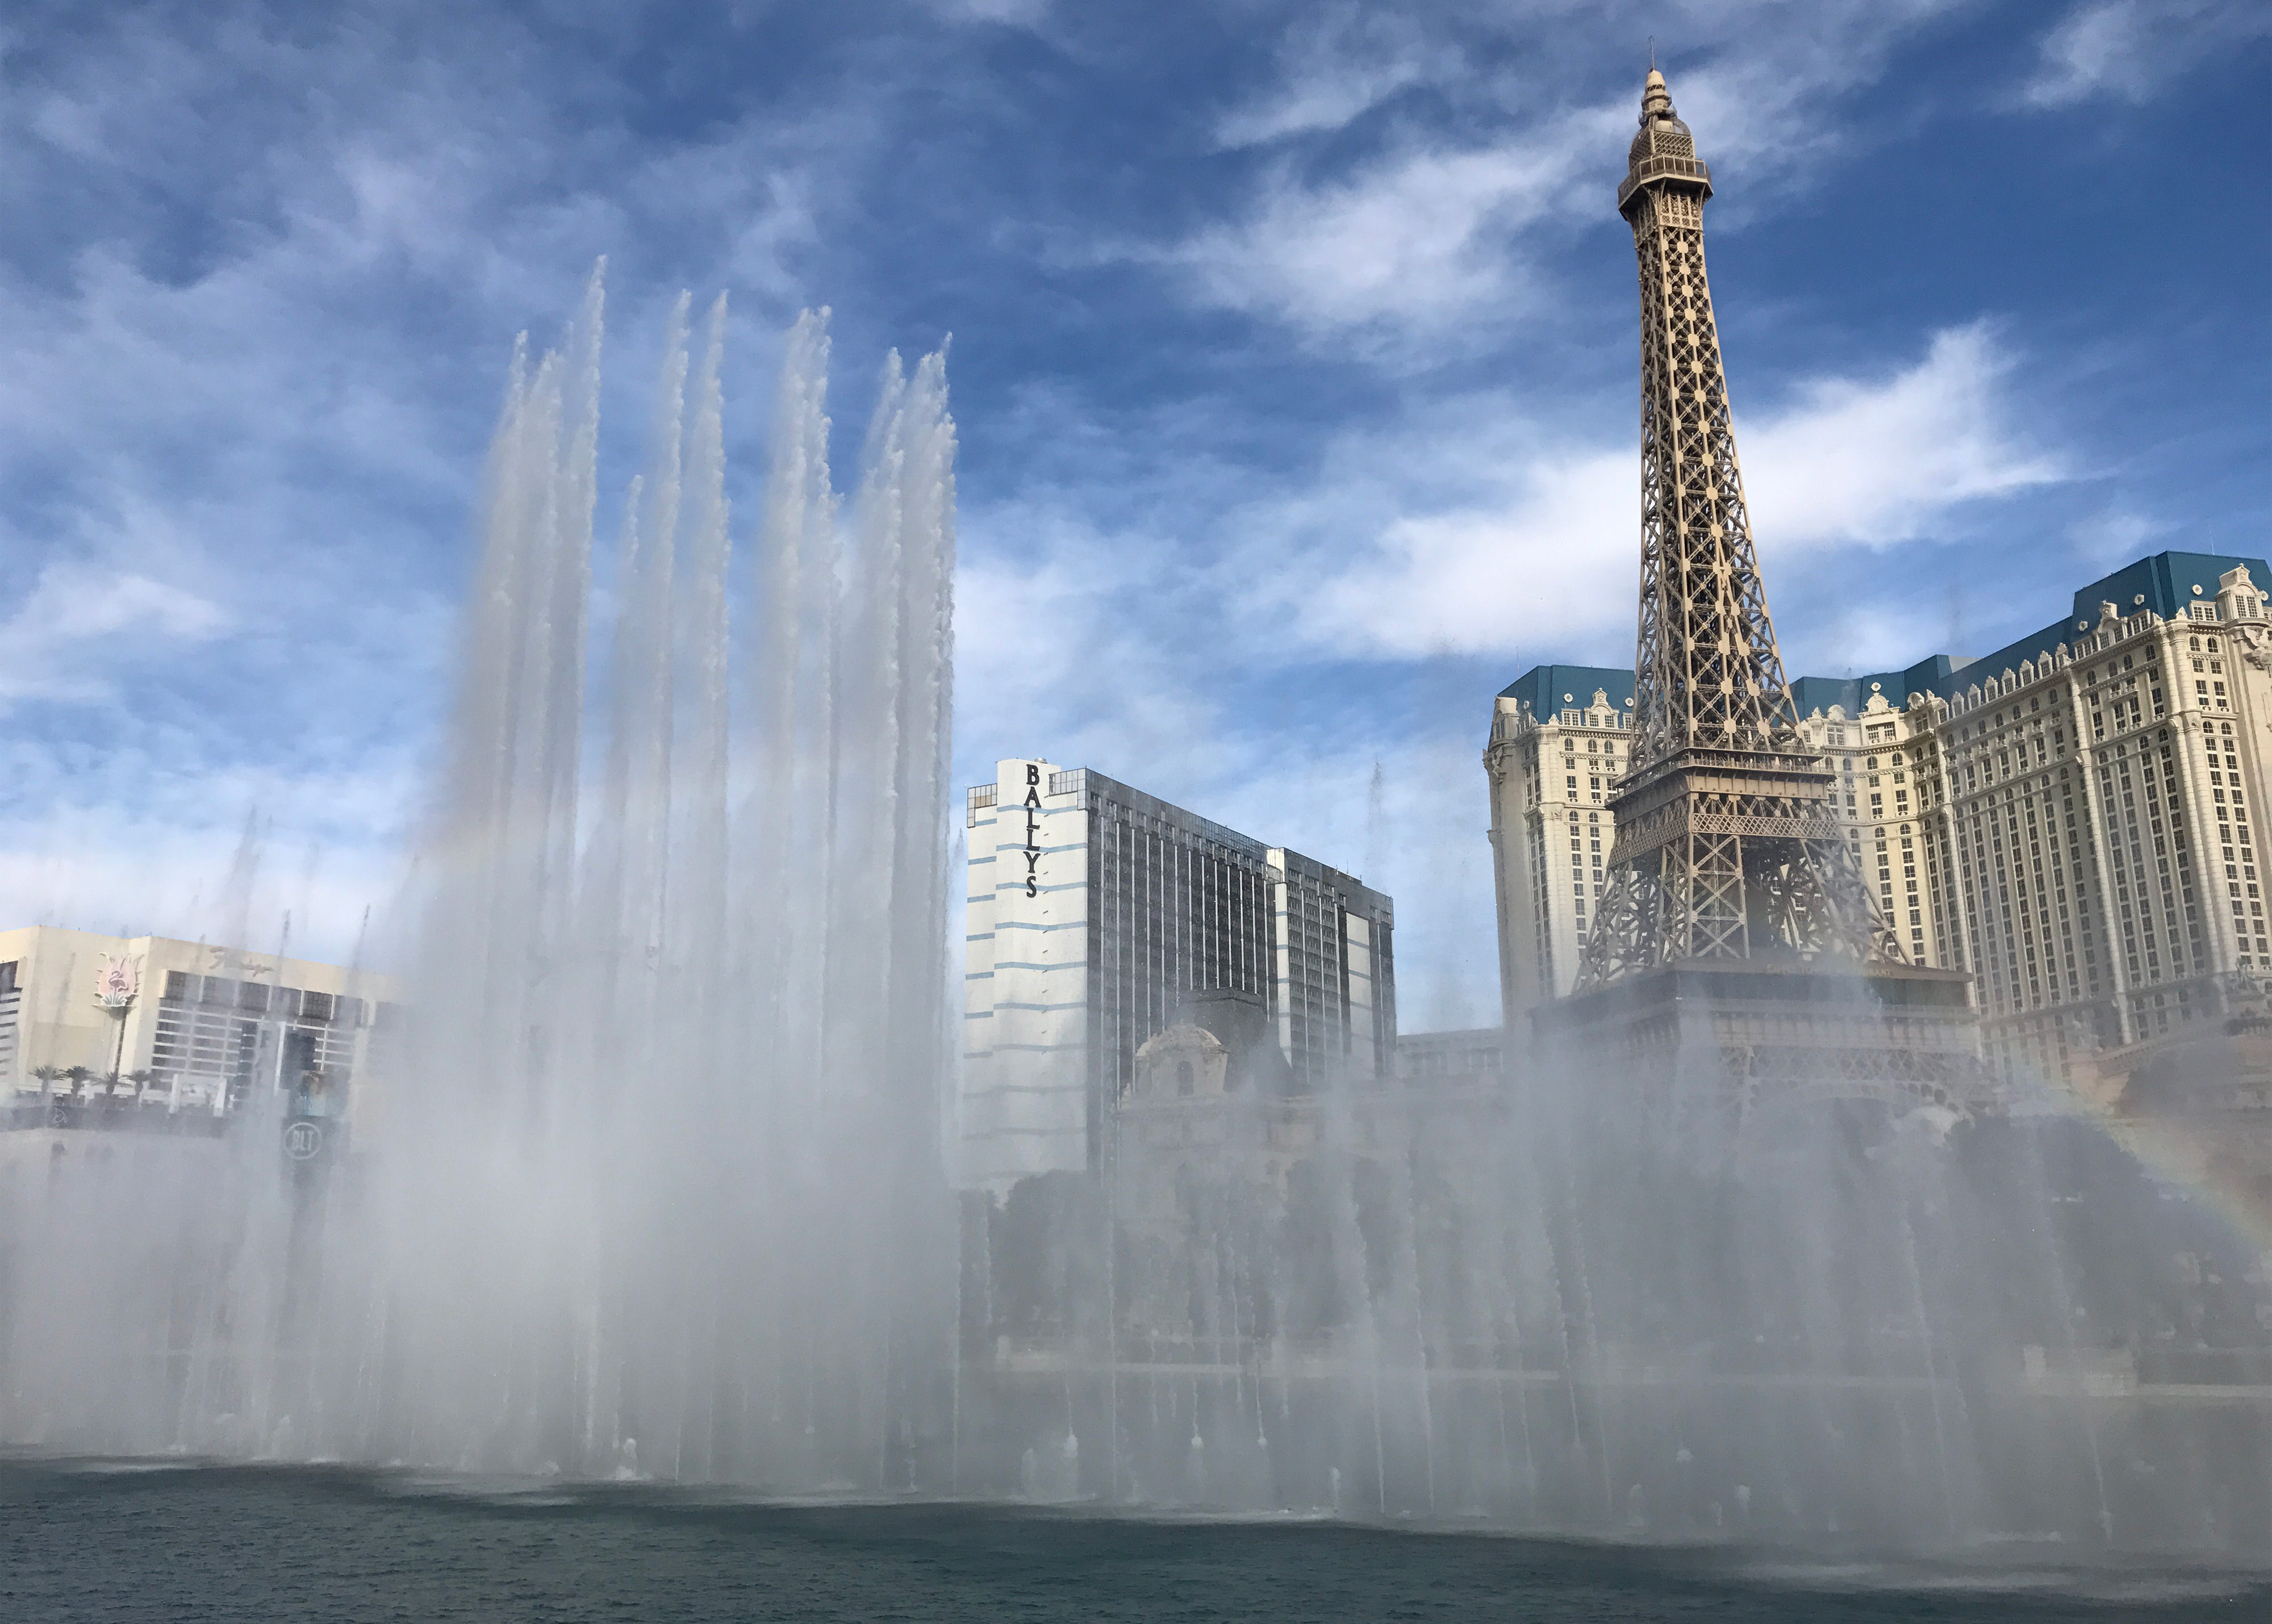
(110, 1543)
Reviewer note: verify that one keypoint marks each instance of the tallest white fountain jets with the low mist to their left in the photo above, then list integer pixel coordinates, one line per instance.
(653, 1184)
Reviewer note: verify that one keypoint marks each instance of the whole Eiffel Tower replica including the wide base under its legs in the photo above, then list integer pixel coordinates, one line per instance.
(1739, 953)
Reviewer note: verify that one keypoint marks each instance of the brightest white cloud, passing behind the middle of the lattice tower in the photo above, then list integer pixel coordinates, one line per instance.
(1848, 464)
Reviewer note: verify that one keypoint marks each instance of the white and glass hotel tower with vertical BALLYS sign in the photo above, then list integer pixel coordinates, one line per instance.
(1096, 912)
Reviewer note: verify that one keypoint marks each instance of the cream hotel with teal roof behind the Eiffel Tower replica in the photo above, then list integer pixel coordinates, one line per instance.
(2069, 817)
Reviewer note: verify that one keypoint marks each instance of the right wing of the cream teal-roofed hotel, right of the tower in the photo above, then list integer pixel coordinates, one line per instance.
(2089, 794)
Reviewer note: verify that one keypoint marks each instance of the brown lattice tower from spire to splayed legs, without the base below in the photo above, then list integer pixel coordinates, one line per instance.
(1726, 837)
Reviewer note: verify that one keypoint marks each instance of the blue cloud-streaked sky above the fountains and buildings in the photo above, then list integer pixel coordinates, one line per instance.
(1294, 362)
